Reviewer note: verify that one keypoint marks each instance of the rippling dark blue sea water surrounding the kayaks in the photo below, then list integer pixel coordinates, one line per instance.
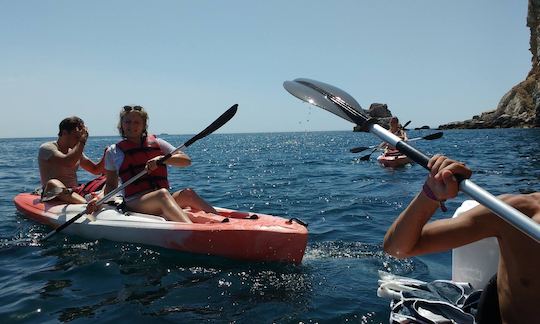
(348, 204)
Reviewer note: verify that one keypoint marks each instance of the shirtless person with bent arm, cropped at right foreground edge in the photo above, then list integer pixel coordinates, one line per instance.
(515, 292)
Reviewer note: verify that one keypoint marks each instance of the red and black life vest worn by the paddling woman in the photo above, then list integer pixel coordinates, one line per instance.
(135, 158)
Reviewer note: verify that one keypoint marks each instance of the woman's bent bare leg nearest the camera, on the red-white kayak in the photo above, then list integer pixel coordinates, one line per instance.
(159, 202)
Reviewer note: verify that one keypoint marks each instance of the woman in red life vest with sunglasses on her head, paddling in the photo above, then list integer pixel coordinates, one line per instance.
(139, 150)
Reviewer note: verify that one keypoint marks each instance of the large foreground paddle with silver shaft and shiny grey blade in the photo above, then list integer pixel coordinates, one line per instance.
(338, 102)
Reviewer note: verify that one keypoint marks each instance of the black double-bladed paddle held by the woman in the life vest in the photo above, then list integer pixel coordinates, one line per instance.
(222, 120)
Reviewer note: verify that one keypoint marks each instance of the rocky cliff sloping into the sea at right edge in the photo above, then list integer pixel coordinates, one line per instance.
(519, 107)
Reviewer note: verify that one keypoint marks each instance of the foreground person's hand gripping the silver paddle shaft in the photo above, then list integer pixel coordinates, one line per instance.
(442, 180)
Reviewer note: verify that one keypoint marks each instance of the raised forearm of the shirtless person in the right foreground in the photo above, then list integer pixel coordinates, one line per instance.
(403, 235)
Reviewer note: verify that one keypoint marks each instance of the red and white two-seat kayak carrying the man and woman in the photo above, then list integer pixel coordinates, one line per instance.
(231, 234)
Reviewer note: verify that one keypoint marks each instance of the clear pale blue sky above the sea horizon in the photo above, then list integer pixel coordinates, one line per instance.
(431, 61)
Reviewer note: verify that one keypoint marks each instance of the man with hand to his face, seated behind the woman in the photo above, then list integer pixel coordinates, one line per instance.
(59, 161)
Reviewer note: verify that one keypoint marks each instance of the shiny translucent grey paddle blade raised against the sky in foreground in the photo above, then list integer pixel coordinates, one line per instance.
(327, 97)
